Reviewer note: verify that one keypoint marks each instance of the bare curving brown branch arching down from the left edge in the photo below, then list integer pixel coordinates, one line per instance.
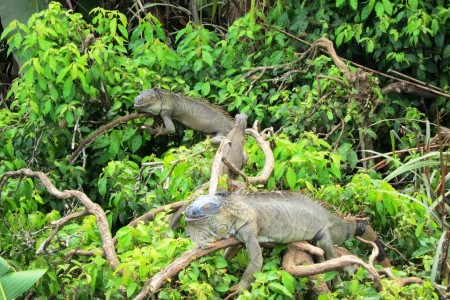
(91, 207)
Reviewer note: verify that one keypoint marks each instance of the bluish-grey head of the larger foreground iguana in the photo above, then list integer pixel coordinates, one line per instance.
(207, 221)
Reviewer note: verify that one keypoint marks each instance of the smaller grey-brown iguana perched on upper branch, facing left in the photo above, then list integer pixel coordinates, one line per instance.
(193, 113)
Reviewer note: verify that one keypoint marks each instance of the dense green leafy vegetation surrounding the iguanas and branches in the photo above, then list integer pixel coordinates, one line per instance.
(379, 154)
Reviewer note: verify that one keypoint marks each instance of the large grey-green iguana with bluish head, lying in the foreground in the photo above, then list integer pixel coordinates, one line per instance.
(279, 217)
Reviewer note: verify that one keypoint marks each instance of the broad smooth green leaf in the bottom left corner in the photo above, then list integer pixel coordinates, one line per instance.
(17, 283)
